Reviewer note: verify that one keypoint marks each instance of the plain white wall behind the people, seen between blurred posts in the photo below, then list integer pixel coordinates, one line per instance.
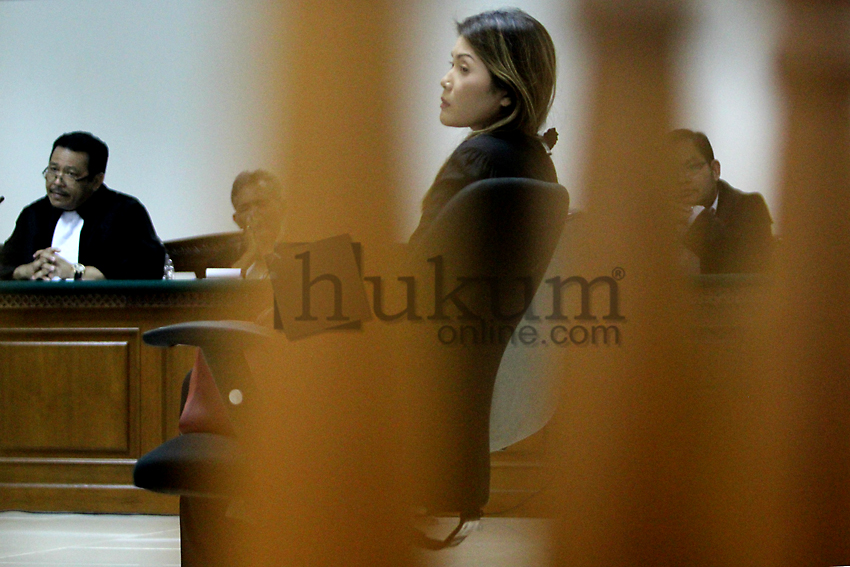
(177, 89)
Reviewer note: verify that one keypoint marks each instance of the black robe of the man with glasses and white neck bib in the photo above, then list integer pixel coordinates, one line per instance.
(118, 237)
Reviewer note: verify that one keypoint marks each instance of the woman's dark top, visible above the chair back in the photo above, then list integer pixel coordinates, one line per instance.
(505, 153)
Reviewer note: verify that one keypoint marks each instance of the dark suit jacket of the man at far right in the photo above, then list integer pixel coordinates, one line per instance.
(737, 238)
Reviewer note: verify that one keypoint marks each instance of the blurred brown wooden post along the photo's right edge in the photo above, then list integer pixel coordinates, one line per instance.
(813, 340)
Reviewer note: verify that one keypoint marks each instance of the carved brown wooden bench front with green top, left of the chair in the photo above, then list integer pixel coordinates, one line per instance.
(82, 397)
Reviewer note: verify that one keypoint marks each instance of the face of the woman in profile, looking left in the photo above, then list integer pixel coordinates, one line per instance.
(469, 99)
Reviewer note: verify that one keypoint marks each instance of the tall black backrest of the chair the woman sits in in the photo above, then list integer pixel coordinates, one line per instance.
(494, 240)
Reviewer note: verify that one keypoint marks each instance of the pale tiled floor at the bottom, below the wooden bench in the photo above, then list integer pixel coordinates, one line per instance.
(101, 540)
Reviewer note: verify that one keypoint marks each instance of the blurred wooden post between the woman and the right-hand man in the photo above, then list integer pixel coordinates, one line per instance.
(627, 427)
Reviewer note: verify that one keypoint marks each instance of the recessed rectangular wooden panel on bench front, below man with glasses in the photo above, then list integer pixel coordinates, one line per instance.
(68, 391)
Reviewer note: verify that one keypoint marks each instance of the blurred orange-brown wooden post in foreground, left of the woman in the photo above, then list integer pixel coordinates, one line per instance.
(329, 491)
